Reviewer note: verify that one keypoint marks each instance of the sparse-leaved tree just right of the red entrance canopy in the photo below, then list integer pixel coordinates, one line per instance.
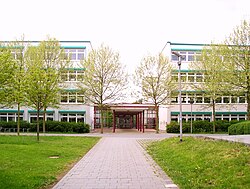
(153, 76)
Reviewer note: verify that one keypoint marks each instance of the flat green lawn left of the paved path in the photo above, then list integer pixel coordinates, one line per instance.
(26, 163)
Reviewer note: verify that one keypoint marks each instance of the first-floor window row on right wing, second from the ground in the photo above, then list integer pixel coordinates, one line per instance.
(203, 99)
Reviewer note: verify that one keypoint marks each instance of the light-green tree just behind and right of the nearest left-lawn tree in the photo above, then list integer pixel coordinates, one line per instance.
(54, 62)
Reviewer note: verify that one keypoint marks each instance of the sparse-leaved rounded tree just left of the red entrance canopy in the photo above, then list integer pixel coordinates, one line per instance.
(105, 78)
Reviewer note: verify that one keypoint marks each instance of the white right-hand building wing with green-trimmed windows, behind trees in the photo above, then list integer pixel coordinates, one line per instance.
(195, 104)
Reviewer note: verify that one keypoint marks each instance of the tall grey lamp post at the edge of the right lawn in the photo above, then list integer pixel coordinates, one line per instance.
(179, 81)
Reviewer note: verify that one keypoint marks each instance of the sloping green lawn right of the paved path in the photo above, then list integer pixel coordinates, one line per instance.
(203, 163)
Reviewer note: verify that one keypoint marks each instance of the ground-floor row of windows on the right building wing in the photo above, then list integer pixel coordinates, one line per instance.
(196, 117)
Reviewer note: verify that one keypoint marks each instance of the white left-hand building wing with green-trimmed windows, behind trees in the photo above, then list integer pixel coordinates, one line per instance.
(71, 107)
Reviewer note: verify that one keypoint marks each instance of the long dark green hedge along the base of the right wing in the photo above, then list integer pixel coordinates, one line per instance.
(200, 126)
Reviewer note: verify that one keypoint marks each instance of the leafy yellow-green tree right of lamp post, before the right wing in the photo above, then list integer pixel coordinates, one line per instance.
(215, 84)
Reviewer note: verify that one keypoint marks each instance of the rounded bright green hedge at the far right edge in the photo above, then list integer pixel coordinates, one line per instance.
(239, 128)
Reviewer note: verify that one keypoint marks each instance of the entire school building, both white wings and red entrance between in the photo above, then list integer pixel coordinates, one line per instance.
(195, 105)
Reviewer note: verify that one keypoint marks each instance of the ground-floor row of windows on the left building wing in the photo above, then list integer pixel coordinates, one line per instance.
(66, 117)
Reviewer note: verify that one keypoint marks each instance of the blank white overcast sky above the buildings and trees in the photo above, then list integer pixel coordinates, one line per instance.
(134, 28)
